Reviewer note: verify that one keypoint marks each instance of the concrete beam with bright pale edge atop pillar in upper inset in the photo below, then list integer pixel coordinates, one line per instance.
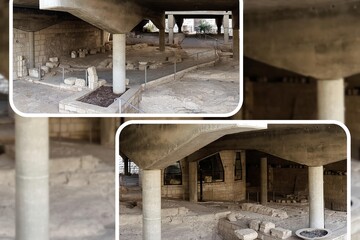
(112, 16)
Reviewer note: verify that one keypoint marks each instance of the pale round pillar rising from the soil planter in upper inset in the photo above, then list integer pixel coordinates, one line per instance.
(119, 63)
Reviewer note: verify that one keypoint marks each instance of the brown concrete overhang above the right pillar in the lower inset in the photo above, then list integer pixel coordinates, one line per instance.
(311, 145)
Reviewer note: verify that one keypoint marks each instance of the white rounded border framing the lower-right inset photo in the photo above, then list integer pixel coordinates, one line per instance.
(227, 122)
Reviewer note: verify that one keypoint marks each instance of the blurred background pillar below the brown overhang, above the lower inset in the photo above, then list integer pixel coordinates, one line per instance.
(331, 103)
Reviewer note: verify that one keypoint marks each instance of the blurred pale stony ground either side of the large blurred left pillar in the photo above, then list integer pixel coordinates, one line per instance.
(81, 193)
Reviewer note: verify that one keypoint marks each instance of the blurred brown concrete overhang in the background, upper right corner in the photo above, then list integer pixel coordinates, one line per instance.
(313, 38)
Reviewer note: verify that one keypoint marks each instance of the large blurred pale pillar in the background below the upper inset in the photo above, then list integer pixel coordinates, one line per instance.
(32, 178)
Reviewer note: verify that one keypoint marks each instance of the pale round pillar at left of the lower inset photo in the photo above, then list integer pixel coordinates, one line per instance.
(151, 195)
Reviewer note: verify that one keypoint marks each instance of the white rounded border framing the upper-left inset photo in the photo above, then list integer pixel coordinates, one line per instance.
(138, 115)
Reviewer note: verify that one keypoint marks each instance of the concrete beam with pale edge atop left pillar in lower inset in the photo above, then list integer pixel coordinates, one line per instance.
(155, 146)
